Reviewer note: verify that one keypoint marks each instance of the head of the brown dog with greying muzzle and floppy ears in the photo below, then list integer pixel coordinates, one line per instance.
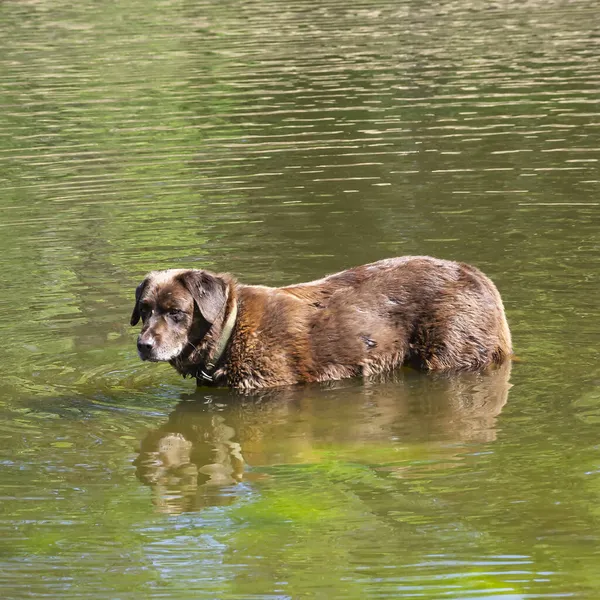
(177, 308)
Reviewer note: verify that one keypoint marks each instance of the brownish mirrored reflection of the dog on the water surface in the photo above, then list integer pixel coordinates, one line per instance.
(205, 450)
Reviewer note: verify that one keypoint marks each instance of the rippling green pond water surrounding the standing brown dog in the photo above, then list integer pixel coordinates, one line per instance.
(282, 141)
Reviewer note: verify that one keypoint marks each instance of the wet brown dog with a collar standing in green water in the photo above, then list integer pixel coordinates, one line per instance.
(432, 314)
